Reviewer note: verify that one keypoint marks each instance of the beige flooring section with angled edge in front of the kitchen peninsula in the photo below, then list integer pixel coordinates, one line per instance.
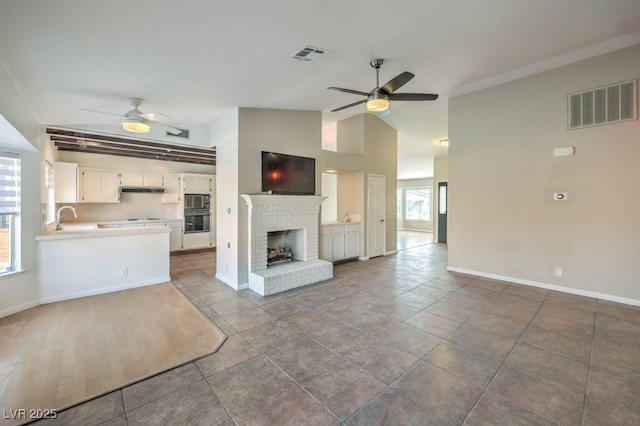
(57, 355)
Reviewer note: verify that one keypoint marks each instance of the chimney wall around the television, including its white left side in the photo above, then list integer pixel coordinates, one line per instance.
(239, 159)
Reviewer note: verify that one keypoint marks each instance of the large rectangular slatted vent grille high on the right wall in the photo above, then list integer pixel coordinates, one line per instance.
(603, 105)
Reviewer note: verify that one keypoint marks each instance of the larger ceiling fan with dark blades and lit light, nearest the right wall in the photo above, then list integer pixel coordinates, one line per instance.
(379, 98)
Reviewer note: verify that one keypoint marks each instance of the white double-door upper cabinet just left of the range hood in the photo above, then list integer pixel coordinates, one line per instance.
(98, 186)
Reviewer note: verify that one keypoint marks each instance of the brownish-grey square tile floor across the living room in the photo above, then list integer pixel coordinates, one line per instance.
(393, 340)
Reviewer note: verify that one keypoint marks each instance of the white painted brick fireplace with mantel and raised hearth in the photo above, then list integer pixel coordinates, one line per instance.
(296, 216)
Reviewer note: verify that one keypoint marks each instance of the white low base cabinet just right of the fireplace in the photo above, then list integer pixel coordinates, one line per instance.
(340, 241)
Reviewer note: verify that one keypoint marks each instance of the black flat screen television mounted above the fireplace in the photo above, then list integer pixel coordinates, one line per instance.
(288, 174)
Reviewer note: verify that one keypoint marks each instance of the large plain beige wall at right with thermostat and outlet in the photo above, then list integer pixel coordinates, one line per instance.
(503, 221)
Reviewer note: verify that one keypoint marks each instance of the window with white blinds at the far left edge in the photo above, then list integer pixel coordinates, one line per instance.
(9, 212)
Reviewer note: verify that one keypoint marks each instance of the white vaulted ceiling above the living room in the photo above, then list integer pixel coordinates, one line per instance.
(194, 60)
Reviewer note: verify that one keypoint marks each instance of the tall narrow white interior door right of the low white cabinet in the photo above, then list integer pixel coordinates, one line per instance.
(376, 215)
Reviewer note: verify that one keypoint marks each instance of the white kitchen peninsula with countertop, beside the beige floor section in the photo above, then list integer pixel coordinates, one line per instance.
(85, 259)
